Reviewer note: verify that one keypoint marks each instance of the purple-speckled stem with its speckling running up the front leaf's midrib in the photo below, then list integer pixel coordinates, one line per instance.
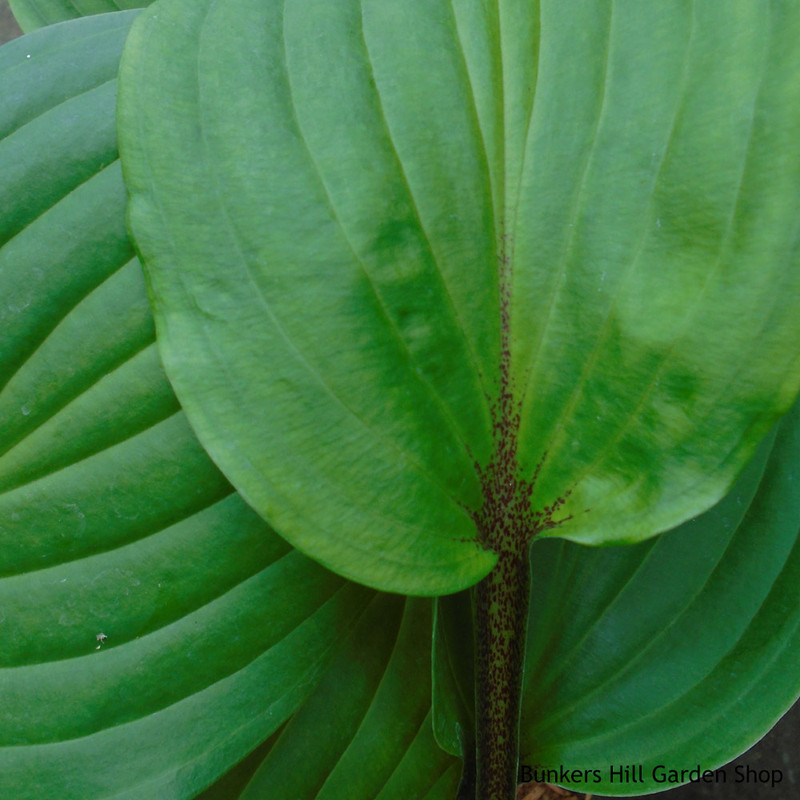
(506, 523)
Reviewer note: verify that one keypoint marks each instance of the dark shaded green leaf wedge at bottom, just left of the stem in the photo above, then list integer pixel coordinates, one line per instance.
(365, 732)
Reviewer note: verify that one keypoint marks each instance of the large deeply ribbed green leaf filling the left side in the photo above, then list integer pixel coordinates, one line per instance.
(154, 629)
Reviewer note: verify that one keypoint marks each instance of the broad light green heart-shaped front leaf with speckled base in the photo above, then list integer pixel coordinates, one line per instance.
(475, 270)
